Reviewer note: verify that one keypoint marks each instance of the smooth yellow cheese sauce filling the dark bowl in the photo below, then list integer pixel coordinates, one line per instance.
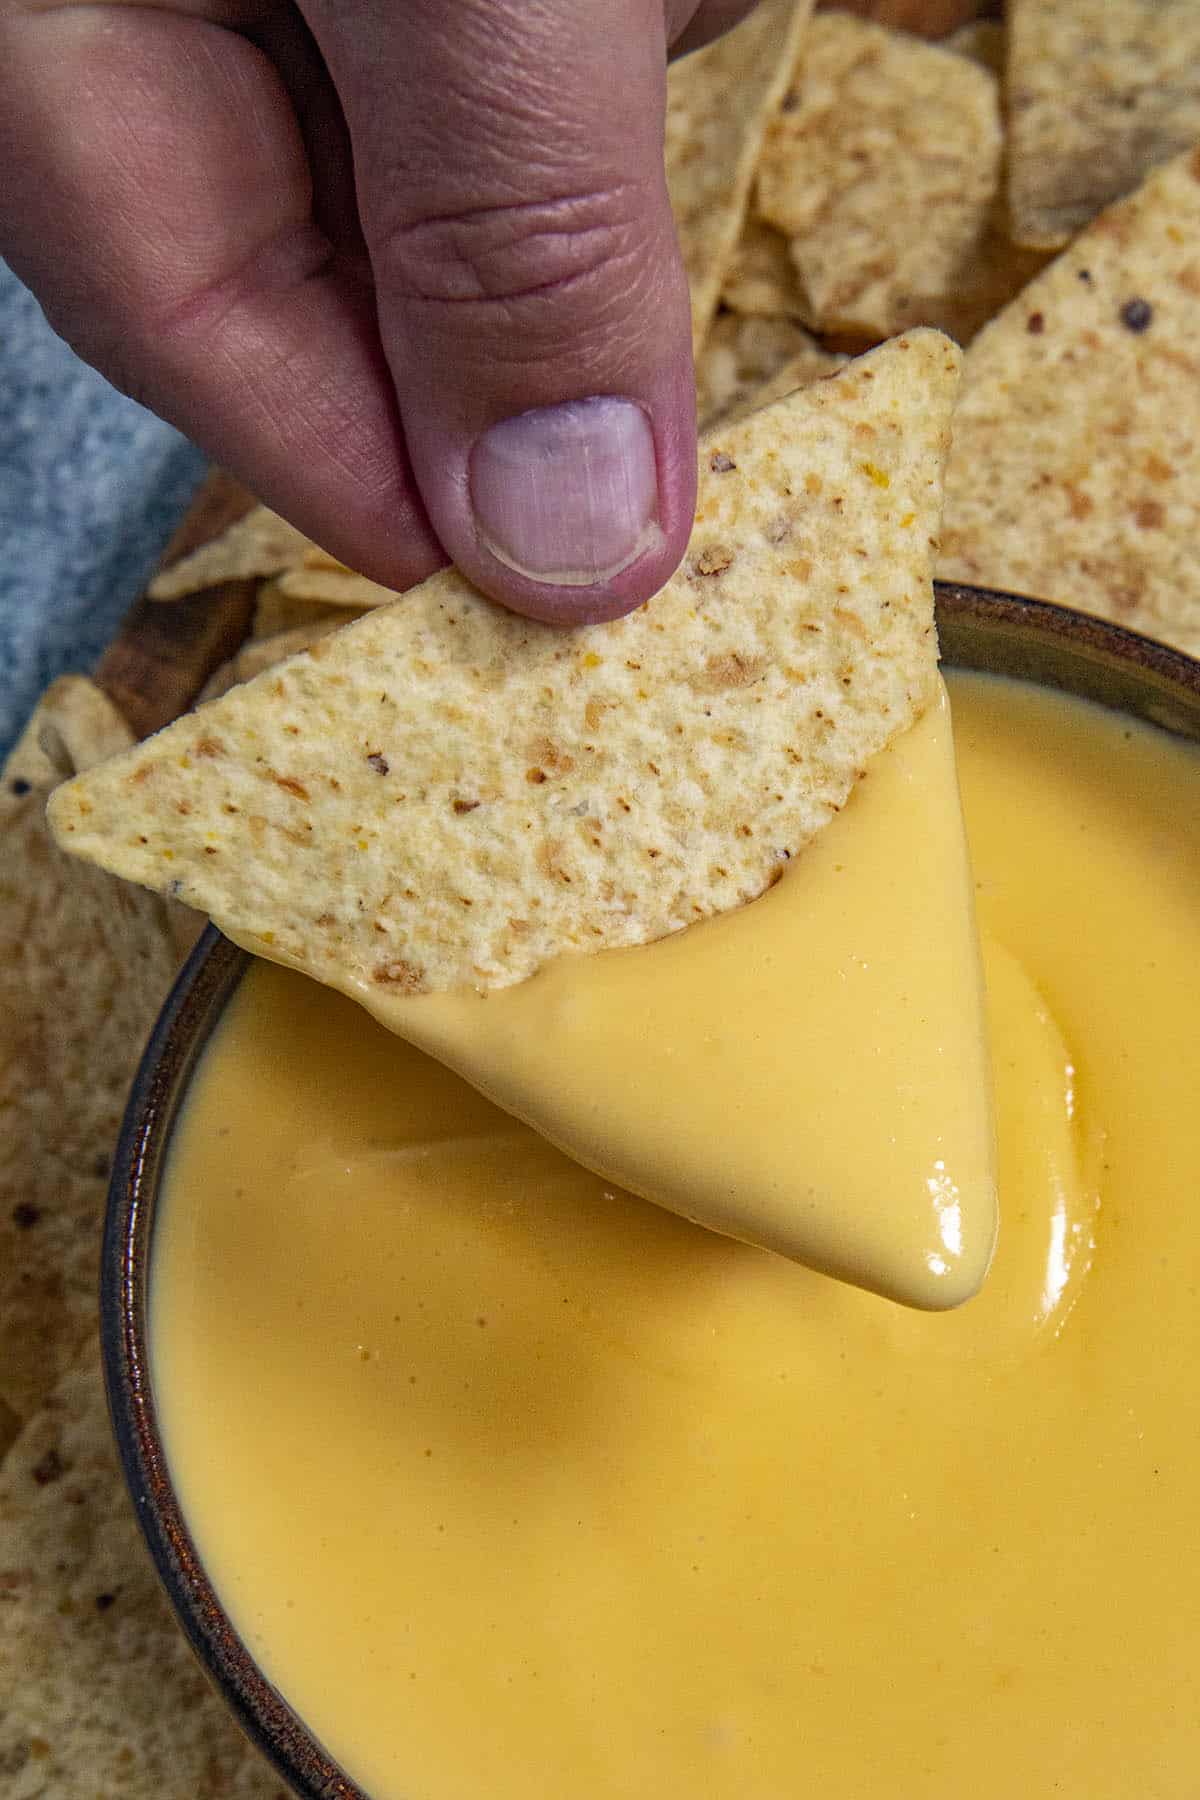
(519, 1486)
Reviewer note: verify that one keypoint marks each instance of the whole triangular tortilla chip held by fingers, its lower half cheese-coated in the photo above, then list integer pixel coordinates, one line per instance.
(436, 805)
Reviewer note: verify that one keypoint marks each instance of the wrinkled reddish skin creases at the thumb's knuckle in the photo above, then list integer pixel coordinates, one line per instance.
(515, 256)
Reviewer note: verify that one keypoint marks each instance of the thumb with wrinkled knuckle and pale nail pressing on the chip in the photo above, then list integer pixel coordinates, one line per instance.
(532, 300)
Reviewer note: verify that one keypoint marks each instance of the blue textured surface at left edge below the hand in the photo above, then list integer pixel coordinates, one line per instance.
(91, 490)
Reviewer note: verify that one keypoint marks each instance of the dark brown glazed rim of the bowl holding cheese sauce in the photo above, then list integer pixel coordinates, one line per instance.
(1046, 643)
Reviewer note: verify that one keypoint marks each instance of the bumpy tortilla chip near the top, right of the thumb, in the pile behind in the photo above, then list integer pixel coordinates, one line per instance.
(881, 168)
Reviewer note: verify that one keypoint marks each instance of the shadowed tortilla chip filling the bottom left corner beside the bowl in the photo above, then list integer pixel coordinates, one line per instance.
(100, 1693)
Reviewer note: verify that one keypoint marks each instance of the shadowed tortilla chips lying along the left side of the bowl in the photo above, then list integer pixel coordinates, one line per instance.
(100, 1695)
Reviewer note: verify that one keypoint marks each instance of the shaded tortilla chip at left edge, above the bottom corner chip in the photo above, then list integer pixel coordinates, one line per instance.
(85, 966)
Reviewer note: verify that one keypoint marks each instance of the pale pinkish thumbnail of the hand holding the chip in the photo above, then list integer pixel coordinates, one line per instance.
(568, 494)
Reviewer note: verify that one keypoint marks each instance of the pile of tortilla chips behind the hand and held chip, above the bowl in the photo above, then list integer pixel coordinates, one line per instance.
(837, 181)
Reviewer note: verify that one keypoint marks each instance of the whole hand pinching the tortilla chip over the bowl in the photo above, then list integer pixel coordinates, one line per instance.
(352, 247)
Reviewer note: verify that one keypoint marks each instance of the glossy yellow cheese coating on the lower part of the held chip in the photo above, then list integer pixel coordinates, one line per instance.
(730, 1072)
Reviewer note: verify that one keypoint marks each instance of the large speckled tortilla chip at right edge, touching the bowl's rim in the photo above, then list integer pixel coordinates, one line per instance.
(1075, 444)
